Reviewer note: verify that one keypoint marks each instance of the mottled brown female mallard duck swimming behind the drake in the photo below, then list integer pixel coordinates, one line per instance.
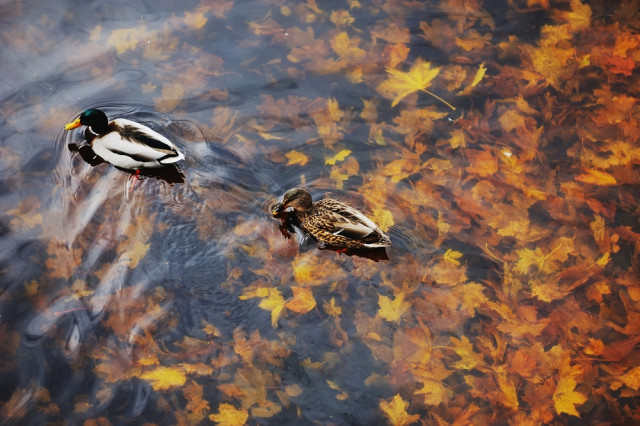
(332, 222)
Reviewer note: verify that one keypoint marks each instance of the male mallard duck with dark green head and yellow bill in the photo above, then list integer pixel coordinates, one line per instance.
(125, 143)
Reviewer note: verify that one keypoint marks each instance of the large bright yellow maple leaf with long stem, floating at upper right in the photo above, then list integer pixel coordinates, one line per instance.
(401, 84)
